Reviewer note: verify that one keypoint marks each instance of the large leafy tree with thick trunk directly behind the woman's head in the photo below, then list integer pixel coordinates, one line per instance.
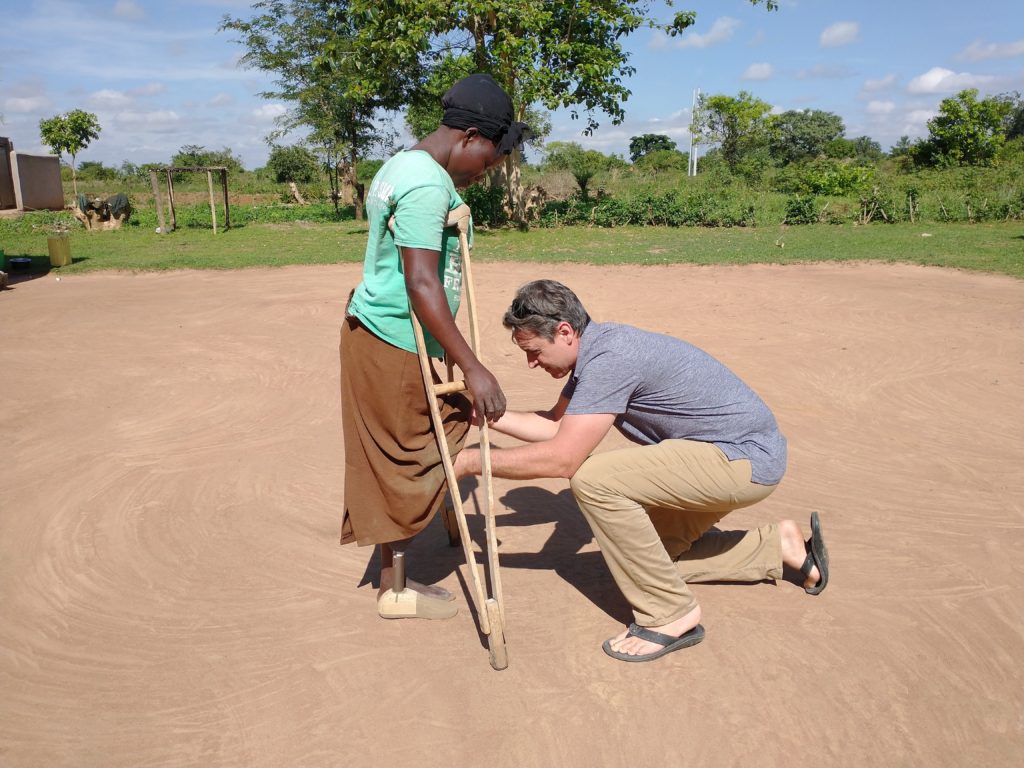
(562, 54)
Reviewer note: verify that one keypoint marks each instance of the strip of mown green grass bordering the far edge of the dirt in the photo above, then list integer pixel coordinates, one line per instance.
(989, 247)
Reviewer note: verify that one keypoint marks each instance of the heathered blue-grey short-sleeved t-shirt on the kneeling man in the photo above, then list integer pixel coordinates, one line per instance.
(662, 389)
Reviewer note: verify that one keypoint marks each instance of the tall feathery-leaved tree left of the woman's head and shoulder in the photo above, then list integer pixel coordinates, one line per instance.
(334, 91)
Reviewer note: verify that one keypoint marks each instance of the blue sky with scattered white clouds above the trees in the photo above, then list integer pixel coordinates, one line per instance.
(159, 75)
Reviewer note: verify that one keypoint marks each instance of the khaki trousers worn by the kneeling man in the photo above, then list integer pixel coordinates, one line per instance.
(652, 509)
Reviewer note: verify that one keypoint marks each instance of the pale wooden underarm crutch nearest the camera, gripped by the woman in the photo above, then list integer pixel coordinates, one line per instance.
(489, 610)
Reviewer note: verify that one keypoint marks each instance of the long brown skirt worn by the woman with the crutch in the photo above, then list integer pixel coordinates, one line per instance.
(395, 481)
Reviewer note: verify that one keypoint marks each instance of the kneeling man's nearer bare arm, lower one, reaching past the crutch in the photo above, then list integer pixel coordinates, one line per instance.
(560, 457)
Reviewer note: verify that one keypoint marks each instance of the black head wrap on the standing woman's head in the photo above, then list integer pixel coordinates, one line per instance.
(478, 102)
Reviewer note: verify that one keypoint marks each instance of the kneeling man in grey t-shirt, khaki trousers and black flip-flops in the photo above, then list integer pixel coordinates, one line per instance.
(707, 445)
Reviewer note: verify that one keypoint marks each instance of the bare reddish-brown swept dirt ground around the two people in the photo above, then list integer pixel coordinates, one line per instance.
(174, 591)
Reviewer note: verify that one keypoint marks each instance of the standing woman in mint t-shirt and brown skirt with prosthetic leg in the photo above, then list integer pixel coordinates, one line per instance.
(395, 481)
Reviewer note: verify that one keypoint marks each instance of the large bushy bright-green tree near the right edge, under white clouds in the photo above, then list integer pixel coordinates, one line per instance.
(967, 132)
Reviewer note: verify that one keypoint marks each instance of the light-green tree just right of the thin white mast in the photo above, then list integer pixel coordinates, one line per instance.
(737, 124)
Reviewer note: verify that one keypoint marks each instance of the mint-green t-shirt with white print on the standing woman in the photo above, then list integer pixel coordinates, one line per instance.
(414, 189)
